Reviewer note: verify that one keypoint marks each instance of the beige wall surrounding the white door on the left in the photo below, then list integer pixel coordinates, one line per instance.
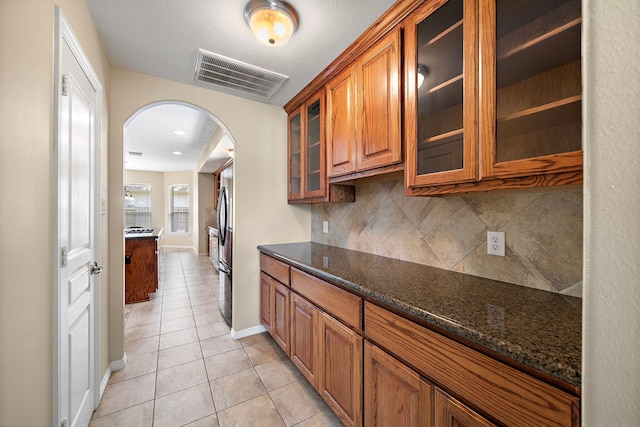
(26, 202)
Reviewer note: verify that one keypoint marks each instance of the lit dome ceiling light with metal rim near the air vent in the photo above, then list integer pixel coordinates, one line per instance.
(272, 21)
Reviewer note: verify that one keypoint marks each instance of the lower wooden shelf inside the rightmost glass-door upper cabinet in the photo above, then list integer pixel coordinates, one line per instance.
(545, 116)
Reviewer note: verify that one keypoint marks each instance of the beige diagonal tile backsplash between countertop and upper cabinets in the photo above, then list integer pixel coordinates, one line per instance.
(543, 232)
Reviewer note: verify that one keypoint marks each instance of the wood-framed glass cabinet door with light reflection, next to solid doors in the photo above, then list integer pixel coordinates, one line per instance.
(441, 60)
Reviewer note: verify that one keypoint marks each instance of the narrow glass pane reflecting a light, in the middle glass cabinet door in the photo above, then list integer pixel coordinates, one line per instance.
(440, 117)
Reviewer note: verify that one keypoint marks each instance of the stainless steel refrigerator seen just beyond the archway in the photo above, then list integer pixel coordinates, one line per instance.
(225, 241)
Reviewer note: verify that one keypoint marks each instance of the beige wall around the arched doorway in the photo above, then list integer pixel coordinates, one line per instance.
(260, 177)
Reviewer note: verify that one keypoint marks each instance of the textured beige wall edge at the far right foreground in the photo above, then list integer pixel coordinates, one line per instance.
(611, 304)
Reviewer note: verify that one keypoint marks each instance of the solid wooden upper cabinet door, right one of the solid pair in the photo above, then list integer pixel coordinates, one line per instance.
(379, 142)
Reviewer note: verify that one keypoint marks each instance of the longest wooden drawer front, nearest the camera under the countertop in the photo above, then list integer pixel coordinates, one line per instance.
(510, 396)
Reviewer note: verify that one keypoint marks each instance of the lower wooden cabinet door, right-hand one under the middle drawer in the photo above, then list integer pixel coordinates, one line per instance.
(341, 370)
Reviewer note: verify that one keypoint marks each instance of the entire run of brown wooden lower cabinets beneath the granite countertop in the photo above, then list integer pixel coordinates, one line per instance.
(402, 374)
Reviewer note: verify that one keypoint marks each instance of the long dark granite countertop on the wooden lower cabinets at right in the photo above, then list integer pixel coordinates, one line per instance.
(537, 328)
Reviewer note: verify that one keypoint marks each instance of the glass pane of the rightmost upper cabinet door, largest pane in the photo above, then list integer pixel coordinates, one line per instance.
(538, 78)
